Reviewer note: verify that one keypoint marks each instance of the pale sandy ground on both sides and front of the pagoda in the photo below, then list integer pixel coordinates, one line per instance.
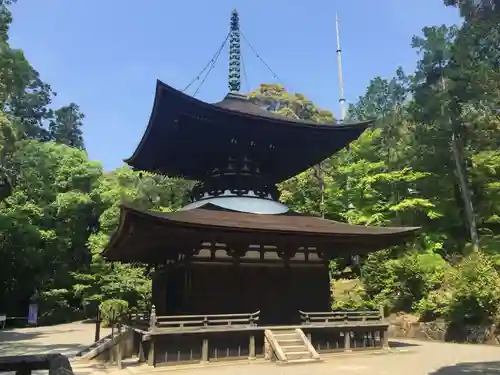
(413, 358)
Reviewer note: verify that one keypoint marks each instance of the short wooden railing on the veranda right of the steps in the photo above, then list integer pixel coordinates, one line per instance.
(340, 317)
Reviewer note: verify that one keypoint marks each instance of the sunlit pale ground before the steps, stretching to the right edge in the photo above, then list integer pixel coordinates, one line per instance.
(423, 358)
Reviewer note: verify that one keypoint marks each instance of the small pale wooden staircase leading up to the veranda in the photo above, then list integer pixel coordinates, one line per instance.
(290, 346)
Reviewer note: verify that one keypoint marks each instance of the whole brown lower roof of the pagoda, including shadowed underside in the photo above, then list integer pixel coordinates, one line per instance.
(152, 237)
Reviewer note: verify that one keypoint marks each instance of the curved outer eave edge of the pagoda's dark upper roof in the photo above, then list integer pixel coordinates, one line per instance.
(163, 92)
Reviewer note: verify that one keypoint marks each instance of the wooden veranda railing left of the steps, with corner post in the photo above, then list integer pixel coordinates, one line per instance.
(203, 321)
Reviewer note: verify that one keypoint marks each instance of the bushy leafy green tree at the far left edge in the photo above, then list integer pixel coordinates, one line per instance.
(46, 221)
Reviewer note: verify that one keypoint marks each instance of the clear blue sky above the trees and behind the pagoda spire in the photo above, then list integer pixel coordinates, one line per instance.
(106, 55)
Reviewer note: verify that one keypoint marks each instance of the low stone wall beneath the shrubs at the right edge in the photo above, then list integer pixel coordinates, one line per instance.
(407, 326)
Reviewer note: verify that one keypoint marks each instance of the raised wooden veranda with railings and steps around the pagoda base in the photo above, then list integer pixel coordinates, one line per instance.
(166, 340)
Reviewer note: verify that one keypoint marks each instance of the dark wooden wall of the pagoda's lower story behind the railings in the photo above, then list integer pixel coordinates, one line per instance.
(278, 291)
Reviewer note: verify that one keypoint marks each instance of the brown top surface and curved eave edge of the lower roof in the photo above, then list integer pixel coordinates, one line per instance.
(202, 220)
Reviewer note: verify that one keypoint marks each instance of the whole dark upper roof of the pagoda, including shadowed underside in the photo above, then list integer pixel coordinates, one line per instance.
(186, 137)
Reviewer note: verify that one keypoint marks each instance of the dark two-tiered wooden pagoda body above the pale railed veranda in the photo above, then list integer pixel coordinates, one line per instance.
(235, 249)
